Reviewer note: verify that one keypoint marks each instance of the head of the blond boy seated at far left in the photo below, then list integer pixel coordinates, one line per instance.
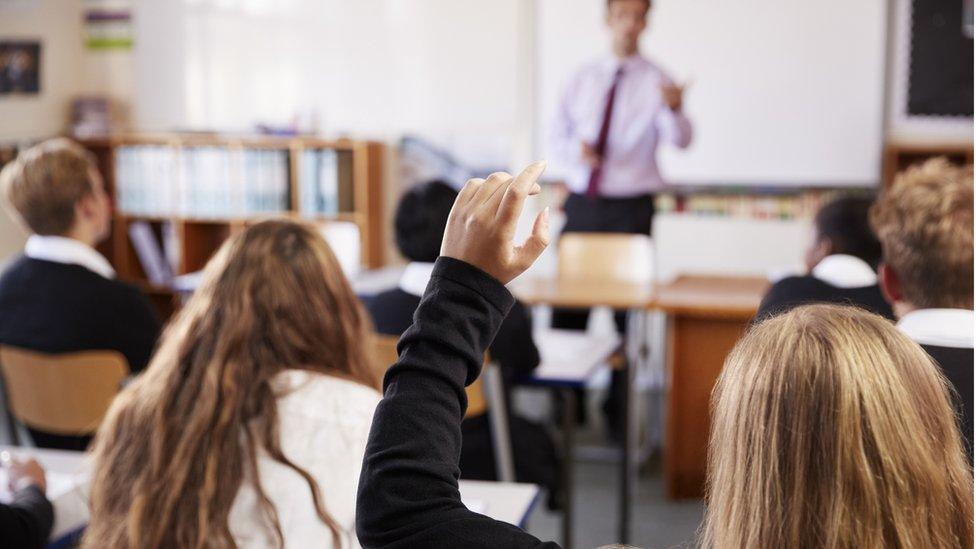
(54, 189)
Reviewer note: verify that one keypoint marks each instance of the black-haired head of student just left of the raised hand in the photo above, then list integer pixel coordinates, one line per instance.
(421, 218)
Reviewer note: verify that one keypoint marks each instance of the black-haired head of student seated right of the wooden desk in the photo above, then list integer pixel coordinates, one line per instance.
(841, 227)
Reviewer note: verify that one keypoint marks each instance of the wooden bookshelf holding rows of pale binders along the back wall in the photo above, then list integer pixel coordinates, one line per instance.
(360, 180)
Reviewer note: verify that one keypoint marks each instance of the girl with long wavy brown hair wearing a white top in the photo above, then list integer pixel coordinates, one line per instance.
(248, 427)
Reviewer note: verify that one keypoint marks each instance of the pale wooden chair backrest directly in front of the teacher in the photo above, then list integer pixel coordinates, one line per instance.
(606, 257)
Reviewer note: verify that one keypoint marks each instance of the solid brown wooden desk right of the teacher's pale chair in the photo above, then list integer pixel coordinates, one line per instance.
(706, 317)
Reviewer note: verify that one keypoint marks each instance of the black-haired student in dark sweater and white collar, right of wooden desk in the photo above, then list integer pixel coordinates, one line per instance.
(842, 263)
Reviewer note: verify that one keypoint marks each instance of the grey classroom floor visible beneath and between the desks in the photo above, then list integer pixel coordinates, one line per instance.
(656, 522)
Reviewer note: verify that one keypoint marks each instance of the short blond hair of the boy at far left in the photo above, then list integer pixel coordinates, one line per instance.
(43, 184)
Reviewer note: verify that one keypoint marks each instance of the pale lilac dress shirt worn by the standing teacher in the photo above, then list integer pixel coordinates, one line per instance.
(640, 121)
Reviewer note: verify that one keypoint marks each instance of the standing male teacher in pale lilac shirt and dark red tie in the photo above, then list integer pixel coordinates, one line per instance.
(614, 114)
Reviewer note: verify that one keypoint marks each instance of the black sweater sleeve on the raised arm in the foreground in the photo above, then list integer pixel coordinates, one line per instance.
(408, 490)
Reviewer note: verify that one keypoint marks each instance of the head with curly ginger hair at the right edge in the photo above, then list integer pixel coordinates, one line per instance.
(925, 224)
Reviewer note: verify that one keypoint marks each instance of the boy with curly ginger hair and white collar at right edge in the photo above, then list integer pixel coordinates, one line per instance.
(925, 223)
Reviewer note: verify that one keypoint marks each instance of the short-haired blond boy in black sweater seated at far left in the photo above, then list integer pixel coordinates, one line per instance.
(61, 295)
